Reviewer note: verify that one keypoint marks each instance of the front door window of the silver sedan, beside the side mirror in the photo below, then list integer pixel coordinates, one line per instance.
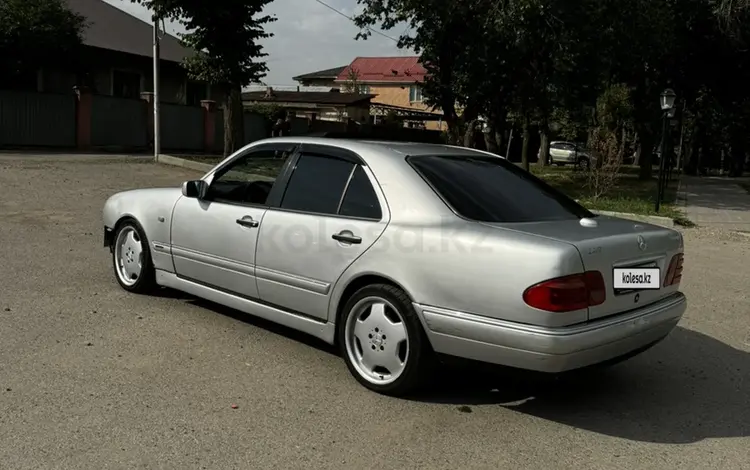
(249, 178)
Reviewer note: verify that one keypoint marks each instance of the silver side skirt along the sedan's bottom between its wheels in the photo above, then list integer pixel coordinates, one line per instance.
(321, 330)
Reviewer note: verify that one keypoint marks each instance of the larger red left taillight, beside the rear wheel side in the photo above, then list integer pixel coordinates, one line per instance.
(567, 293)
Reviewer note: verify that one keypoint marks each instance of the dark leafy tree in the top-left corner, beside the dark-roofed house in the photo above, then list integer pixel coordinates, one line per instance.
(36, 33)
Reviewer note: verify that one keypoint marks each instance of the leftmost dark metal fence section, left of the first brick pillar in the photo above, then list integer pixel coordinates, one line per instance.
(37, 119)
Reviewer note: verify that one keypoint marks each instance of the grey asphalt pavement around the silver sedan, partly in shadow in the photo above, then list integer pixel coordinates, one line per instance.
(91, 377)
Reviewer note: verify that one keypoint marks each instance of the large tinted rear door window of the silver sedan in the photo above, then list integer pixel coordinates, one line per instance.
(317, 184)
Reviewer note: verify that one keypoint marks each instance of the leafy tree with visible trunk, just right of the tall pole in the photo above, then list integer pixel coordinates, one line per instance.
(226, 35)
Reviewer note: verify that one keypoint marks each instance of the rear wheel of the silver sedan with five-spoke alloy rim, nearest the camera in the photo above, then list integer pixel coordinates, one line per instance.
(395, 366)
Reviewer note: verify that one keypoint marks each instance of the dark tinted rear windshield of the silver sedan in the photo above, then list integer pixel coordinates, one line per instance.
(491, 189)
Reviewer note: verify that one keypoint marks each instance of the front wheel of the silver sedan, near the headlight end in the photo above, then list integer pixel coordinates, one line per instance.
(131, 259)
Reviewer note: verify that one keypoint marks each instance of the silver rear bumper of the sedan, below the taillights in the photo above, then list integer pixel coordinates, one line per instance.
(550, 349)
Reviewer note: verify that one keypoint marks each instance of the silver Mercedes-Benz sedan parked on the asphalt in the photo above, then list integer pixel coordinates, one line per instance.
(400, 252)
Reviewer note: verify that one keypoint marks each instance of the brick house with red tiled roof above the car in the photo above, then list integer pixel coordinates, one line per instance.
(396, 83)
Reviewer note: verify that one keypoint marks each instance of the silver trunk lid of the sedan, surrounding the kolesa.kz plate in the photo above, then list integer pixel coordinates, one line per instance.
(606, 243)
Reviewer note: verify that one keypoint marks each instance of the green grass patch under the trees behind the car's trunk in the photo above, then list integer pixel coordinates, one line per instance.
(629, 194)
